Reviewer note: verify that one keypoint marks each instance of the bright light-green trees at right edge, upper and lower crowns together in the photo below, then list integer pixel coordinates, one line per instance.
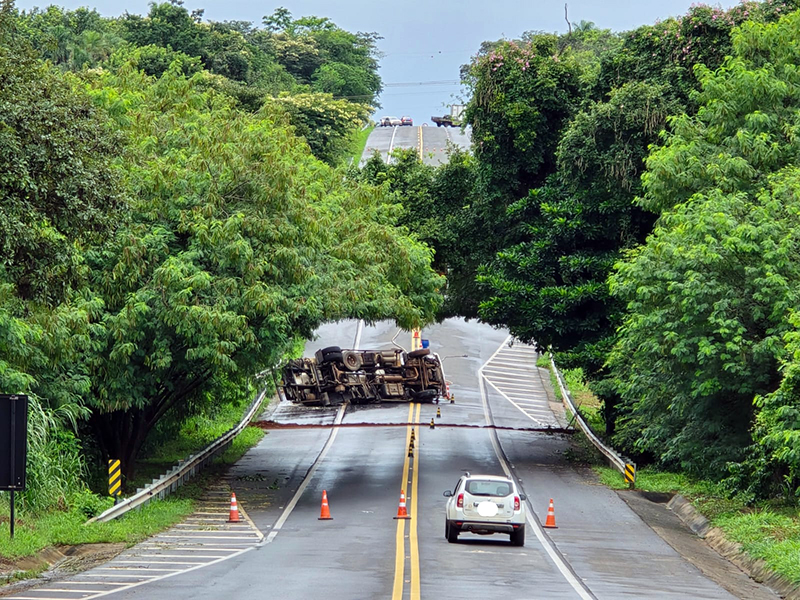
(714, 285)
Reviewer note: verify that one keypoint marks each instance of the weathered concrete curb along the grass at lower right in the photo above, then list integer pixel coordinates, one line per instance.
(756, 568)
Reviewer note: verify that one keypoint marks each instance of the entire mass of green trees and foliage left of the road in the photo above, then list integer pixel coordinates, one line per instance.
(163, 242)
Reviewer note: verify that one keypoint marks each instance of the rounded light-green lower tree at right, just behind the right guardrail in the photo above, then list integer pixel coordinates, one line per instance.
(708, 299)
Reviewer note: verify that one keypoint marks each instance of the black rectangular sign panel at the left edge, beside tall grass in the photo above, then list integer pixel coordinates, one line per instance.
(13, 441)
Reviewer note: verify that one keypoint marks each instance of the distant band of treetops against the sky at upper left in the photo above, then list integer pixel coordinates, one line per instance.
(325, 75)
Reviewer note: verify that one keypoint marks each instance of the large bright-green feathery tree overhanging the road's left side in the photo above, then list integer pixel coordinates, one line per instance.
(241, 241)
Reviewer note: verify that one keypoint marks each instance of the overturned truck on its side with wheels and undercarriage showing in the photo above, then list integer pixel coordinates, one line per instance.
(335, 375)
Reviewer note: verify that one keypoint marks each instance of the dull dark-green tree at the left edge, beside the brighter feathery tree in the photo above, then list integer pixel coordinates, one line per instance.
(57, 190)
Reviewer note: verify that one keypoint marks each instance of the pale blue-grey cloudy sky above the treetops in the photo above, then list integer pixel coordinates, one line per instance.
(424, 42)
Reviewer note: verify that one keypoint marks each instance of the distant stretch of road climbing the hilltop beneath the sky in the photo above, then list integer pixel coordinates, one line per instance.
(432, 142)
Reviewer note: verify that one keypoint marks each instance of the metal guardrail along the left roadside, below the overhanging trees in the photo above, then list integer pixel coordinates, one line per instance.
(183, 471)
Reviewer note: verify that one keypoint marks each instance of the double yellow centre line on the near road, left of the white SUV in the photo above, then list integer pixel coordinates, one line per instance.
(400, 542)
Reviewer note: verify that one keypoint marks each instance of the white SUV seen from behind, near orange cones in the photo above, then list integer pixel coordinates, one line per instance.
(485, 504)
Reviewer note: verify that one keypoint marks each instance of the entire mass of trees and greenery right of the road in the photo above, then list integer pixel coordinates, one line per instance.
(631, 204)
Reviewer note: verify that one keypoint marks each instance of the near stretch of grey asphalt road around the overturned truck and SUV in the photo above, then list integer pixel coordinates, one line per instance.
(600, 550)
